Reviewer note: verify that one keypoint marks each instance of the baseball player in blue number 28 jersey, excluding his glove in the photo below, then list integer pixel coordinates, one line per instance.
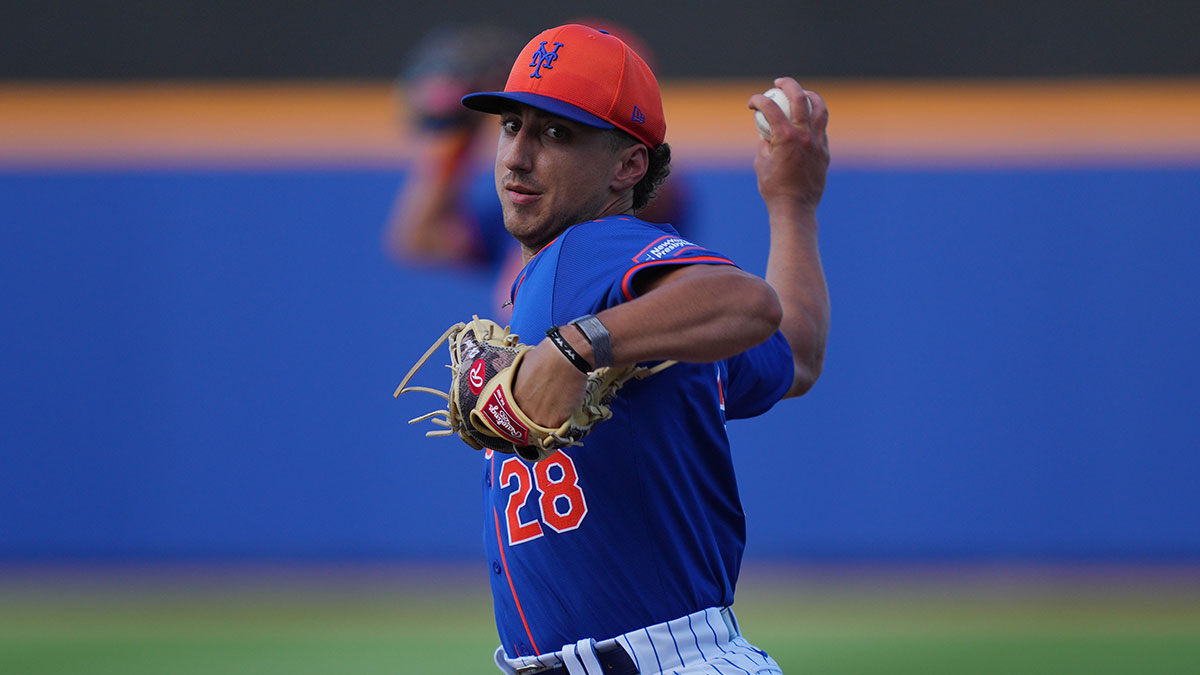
(622, 555)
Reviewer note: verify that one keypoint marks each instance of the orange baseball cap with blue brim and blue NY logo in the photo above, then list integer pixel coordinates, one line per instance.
(587, 76)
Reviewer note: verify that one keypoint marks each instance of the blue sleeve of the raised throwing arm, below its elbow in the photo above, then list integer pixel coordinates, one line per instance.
(759, 378)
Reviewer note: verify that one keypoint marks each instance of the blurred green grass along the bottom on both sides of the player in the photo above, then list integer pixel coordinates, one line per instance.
(416, 623)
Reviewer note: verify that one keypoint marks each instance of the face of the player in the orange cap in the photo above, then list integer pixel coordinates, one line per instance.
(553, 174)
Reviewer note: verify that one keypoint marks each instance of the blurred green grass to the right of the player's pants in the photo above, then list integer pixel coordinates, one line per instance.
(982, 628)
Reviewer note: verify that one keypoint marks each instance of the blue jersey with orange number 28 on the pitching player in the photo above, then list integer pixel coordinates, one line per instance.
(643, 524)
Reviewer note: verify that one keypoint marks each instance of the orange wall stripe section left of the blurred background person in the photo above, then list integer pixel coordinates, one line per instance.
(199, 123)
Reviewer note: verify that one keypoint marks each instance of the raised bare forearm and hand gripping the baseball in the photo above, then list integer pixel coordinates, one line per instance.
(791, 169)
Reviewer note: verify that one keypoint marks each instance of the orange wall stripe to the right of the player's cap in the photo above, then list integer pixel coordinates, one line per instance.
(973, 122)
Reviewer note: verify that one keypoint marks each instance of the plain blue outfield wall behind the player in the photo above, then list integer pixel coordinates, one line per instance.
(200, 365)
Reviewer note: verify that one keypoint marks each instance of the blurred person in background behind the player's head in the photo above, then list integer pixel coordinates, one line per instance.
(447, 212)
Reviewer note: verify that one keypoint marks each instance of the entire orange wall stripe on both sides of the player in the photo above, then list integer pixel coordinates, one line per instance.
(872, 123)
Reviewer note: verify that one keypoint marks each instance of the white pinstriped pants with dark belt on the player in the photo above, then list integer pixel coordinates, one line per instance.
(705, 643)
